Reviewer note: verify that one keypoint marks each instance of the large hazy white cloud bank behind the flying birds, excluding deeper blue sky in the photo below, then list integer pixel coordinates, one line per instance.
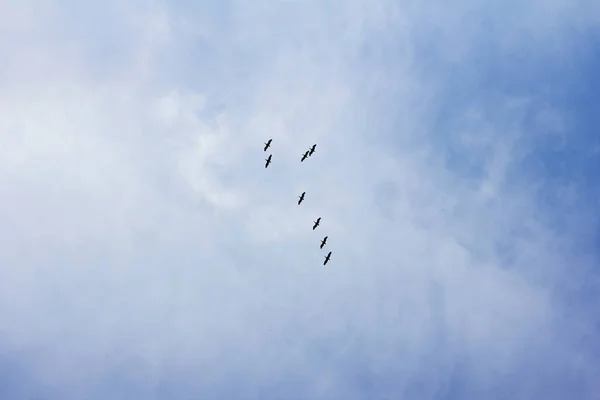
(140, 229)
